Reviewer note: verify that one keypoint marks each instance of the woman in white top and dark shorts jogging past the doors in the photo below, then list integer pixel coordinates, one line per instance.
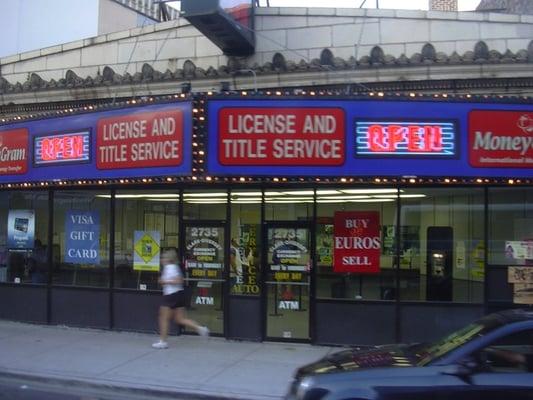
(174, 300)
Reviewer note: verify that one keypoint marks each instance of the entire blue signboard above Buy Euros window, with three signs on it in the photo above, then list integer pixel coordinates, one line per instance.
(309, 137)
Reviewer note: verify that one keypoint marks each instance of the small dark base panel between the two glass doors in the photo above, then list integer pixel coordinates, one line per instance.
(244, 322)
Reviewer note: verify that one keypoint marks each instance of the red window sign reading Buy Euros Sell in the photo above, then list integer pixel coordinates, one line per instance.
(356, 242)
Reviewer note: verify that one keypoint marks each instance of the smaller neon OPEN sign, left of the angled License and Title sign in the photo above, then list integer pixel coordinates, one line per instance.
(62, 148)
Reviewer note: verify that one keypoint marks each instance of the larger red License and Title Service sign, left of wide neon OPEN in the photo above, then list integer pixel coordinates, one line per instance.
(281, 136)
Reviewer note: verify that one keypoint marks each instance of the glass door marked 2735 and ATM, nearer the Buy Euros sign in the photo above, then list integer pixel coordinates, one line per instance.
(288, 256)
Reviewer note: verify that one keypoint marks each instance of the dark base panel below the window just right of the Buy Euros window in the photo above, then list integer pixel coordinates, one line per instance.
(427, 322)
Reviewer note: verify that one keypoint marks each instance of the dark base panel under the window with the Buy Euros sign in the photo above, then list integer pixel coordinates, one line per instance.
(359, 324)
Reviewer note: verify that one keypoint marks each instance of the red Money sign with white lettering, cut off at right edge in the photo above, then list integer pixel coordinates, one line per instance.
(500, 139)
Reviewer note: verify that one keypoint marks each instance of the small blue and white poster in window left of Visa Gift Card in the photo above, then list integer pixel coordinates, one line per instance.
(20, 229)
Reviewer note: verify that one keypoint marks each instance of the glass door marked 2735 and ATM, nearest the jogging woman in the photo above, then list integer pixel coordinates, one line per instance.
(204, 263)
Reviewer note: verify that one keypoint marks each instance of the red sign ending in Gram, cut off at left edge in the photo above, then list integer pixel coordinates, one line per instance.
(14, 152)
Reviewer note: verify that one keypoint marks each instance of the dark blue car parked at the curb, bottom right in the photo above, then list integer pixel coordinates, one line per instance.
(490, 359)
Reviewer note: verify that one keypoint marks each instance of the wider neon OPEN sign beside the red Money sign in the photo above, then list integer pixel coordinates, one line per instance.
(406, 138)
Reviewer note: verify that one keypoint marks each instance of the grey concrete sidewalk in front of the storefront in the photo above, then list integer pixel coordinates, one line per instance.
(192, 365)
